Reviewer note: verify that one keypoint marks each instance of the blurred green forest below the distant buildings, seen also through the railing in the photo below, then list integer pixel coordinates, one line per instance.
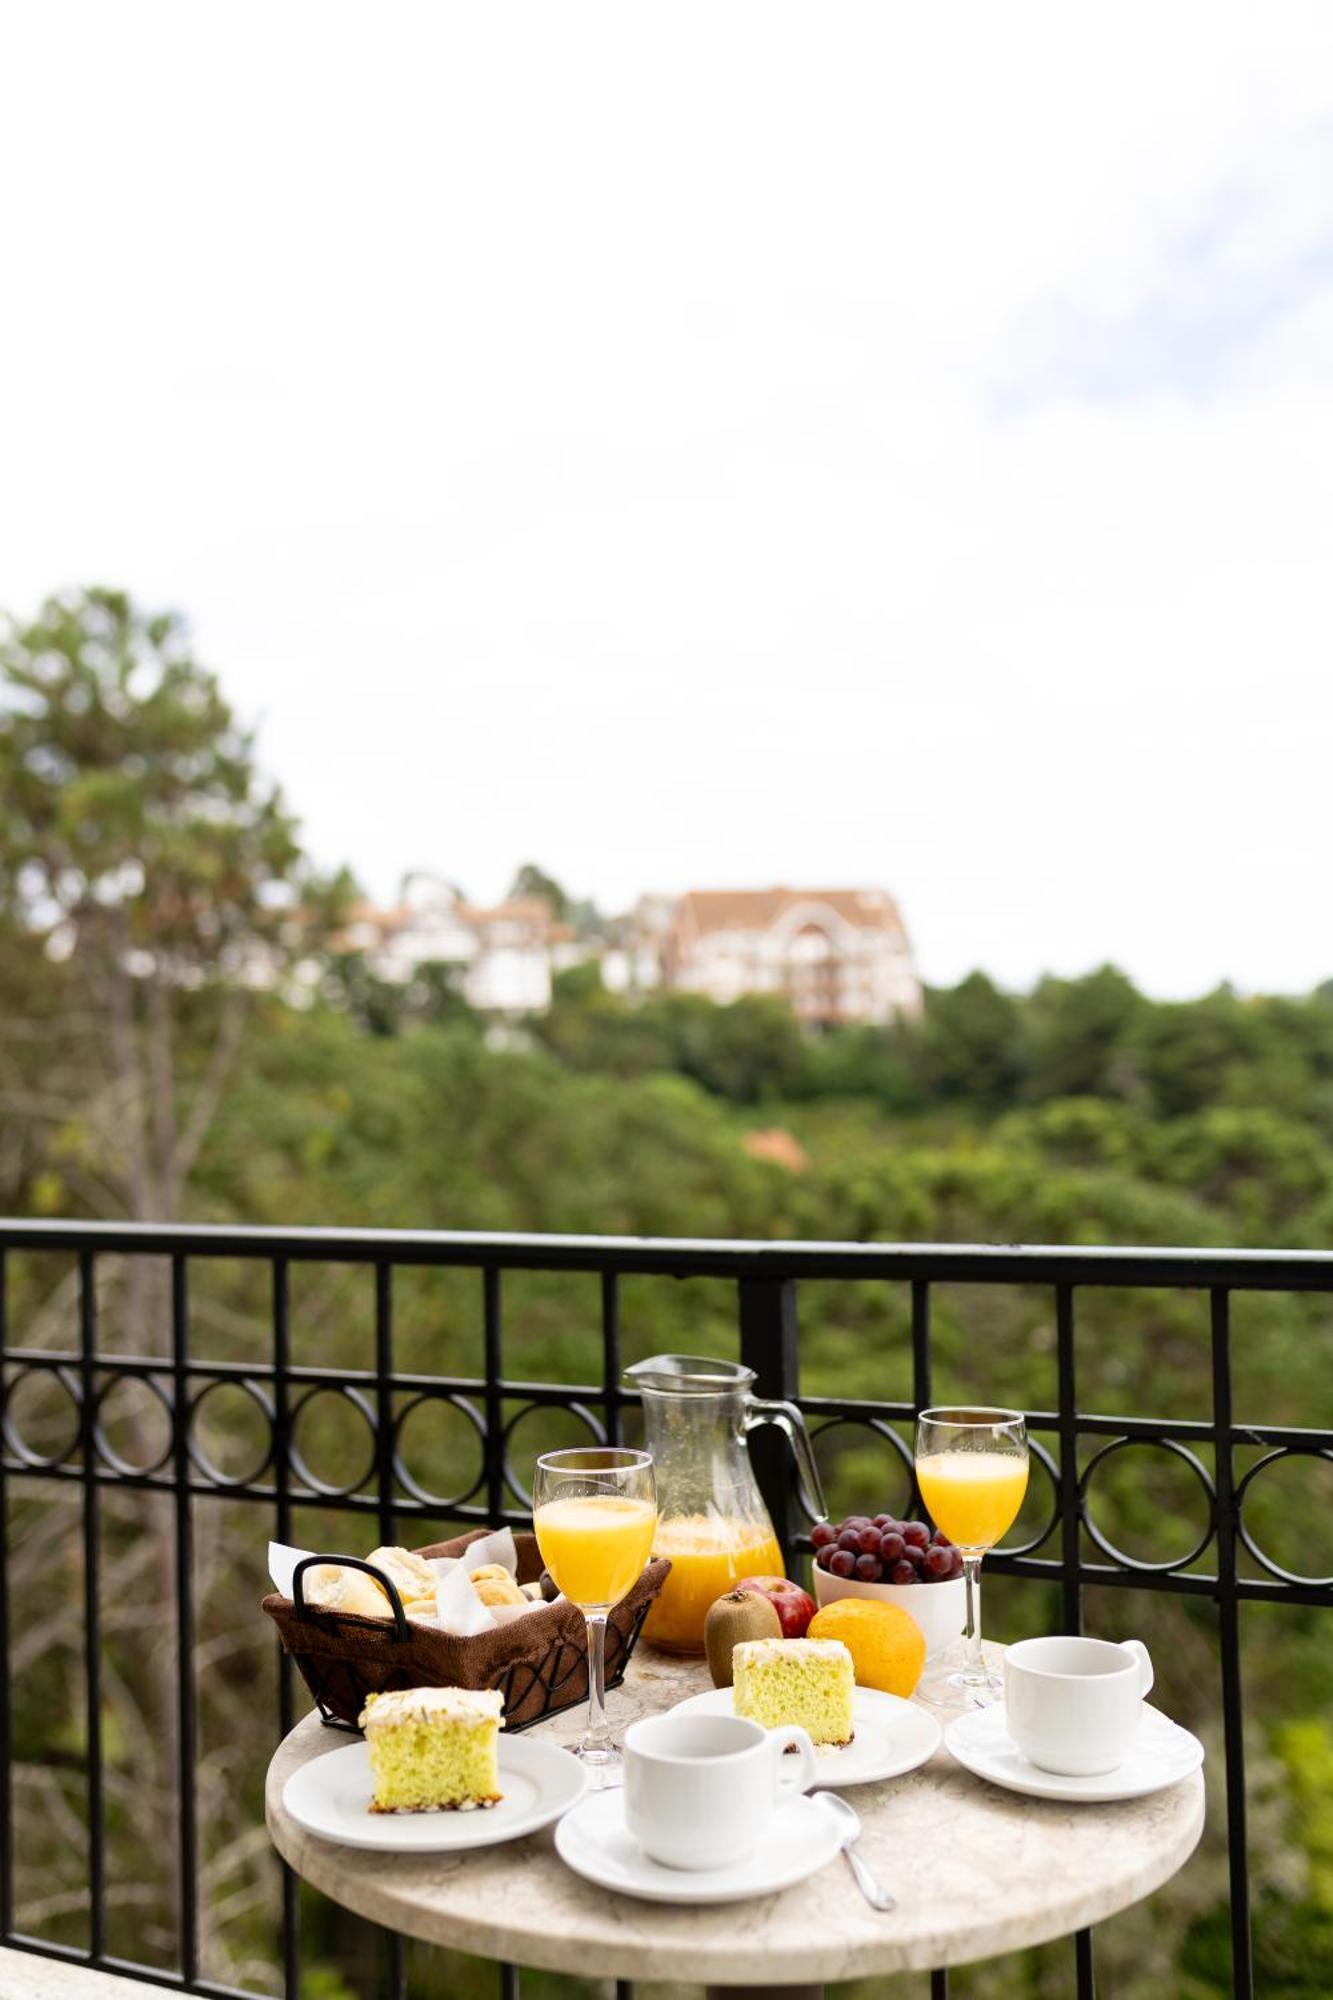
(147, 1073)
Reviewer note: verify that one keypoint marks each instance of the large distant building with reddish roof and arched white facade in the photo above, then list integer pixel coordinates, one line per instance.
(838, 955)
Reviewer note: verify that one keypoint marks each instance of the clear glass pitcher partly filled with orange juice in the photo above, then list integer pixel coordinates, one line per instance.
(712, 1517)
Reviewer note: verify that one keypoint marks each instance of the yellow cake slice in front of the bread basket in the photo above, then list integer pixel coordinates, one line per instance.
(433, 1749)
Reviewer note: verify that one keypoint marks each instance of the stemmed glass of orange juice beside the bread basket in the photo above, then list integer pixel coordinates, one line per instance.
(595, 1517)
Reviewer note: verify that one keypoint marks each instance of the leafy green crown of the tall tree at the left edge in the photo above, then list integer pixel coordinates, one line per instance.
(133, 815)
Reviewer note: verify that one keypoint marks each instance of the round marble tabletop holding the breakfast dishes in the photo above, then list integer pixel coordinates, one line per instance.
(976, 1871)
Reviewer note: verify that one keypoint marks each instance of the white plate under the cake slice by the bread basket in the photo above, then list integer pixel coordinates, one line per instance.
(331, 1797)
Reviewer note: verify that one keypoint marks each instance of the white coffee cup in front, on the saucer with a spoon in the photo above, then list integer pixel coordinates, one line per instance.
(700, 1789)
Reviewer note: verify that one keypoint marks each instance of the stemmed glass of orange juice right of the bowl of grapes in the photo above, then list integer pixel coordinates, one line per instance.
(972, 1471)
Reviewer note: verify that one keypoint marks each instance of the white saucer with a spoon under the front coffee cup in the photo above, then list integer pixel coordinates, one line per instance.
(798, 1839)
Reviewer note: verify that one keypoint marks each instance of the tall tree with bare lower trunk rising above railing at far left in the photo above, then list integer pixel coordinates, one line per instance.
(149, 865)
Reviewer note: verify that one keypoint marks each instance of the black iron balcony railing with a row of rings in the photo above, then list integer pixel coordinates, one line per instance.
(1068, 1551)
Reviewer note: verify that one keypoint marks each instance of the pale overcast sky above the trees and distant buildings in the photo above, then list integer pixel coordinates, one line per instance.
(718, 445)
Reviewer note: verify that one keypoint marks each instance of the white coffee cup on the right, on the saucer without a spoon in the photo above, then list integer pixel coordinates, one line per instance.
(1074, 1705)
